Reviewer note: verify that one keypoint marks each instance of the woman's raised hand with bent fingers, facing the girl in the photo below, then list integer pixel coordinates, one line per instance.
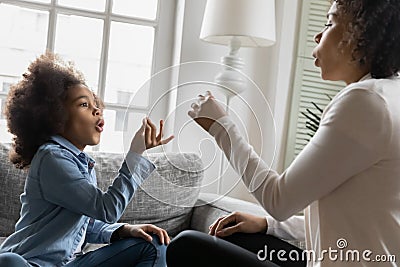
(206, 111)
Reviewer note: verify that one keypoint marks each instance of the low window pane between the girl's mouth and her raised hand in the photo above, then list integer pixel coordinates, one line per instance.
(113, 138)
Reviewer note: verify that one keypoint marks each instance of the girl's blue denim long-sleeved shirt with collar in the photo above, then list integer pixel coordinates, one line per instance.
(61, 202)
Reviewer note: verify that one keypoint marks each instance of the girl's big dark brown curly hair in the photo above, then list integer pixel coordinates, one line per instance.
(35, 105)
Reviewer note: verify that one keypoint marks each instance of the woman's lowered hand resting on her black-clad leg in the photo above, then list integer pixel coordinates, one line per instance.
(238, 222)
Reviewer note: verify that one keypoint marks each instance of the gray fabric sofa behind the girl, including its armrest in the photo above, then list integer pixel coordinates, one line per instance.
(169, 198)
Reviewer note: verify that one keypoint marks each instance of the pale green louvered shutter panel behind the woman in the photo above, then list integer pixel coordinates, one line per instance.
(308, 86)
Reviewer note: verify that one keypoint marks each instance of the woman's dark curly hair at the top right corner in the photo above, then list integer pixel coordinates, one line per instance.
(374, 28)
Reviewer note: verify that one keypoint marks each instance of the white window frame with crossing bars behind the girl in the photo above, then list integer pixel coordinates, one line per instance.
(163, 25)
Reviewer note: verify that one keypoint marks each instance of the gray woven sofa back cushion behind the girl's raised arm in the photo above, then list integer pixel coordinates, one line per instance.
(167, 196)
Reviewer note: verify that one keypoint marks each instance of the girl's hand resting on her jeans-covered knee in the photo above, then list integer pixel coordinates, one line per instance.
(144, 231)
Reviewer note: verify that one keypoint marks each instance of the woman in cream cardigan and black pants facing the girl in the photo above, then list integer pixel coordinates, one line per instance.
(347, 178)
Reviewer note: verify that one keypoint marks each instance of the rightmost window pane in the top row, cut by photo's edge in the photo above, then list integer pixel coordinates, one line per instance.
(136, 8)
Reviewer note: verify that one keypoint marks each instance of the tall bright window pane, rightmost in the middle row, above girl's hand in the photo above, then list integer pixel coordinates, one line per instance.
(129, 63)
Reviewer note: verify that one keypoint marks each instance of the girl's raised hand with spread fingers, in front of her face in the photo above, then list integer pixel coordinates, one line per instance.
(146, 137)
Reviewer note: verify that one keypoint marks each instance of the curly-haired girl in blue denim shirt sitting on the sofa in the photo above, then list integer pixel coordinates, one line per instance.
(54, 116)
